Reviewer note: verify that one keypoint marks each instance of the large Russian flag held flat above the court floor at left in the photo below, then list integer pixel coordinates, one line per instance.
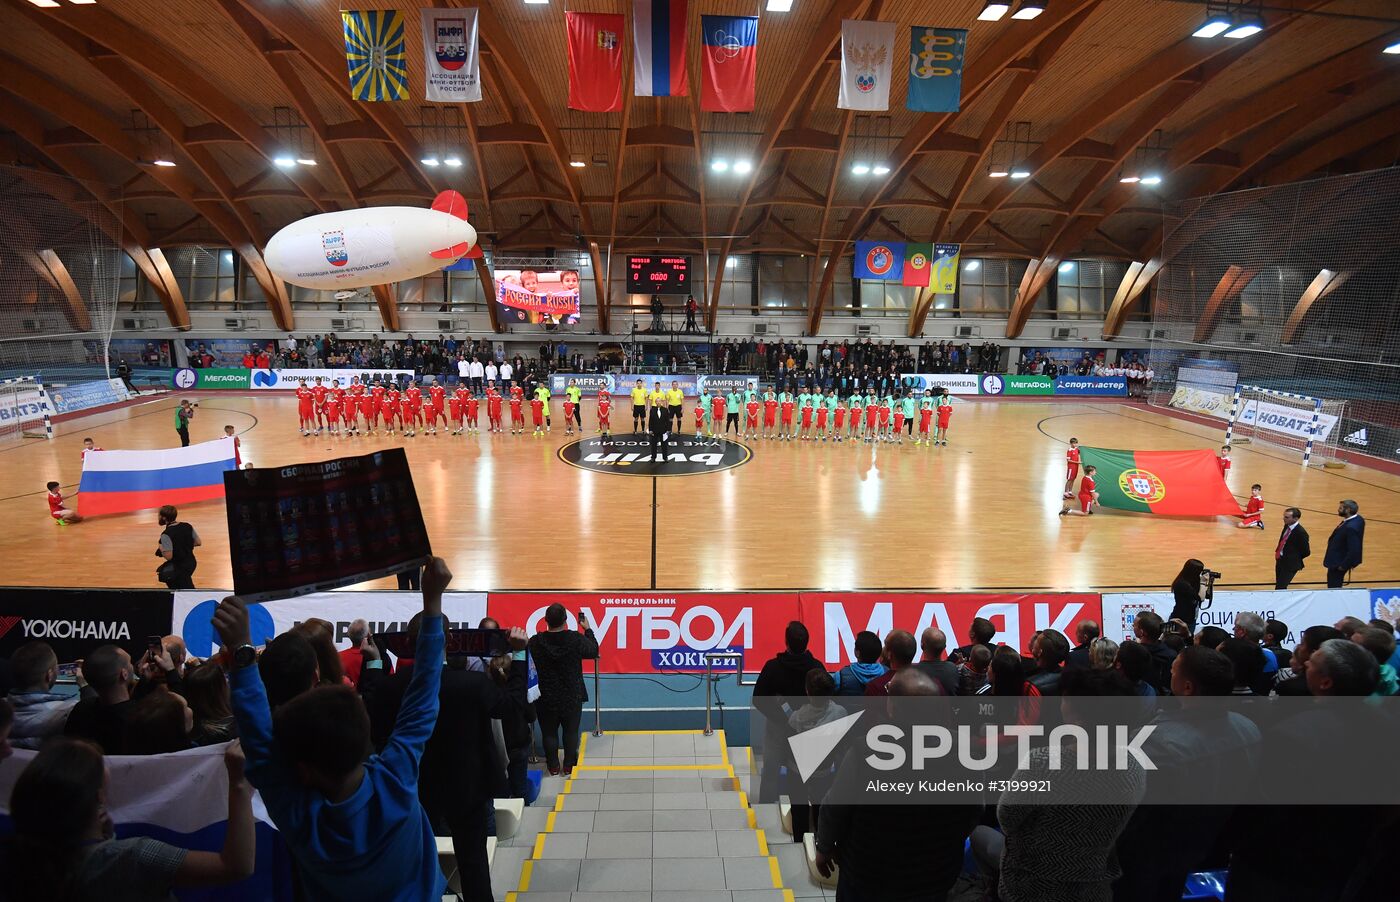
(115, 483)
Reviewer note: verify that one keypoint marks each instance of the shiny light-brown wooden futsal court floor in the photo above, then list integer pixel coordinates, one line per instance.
(507, 513)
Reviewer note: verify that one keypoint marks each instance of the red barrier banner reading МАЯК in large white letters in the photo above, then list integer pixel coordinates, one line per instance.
(835, 618)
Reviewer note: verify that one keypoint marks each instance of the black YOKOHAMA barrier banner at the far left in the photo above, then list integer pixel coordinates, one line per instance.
(75, 623)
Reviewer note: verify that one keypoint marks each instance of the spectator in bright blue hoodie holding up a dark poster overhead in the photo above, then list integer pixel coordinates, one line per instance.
(351, 819)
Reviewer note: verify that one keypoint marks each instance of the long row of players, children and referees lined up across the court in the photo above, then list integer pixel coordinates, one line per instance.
(783, 417)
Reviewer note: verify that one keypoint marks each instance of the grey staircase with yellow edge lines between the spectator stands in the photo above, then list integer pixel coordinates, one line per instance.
(653, 817)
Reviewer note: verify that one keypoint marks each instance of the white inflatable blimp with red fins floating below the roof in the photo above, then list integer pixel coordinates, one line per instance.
(373, 246)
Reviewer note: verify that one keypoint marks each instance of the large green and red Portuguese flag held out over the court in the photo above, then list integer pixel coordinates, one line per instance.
(1184, 484)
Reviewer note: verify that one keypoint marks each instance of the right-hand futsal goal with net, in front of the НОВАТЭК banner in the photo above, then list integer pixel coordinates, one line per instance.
(1300, 424)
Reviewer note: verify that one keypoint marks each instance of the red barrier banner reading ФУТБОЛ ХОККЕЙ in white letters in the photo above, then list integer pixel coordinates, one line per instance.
(643, 634)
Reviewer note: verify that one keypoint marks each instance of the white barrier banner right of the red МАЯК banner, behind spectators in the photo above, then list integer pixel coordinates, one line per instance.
(1298, 610)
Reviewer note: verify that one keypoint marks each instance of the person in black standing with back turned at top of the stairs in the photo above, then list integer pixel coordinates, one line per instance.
(559, 656)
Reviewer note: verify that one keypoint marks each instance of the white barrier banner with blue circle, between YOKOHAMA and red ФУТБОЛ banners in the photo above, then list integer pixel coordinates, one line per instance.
(384, 611)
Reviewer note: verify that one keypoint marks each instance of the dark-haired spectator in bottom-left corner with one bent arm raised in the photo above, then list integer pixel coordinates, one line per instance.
(64, 844)
